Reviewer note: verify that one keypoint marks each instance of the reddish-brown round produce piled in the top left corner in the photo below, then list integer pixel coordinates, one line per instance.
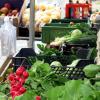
(7, 10)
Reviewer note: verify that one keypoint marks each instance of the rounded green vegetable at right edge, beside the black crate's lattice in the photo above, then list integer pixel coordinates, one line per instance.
(91, 70)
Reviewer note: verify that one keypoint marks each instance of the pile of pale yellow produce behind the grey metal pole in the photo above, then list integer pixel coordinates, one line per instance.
(43, 15)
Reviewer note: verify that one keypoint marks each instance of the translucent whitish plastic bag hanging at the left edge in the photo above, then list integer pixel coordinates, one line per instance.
(8, 38)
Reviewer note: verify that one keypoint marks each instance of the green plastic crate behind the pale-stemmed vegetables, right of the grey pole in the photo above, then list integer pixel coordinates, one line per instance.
(49, 33)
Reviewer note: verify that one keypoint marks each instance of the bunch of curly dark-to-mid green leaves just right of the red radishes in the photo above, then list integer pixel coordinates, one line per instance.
(42, 78)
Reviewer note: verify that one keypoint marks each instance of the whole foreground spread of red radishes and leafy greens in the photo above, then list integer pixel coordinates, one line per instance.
(42, 83)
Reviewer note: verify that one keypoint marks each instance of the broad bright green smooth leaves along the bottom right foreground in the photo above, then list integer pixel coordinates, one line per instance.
(72, 90)
